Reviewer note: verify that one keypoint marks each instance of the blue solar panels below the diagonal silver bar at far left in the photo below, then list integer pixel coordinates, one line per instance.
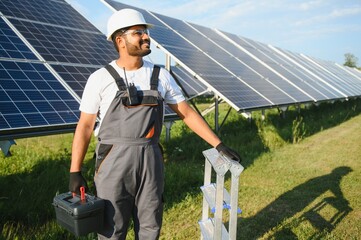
(30, 95)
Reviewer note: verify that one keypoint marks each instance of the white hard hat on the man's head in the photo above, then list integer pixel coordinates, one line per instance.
(124, 18)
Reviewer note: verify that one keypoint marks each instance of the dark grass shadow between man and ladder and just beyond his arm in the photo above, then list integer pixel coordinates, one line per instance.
(184, 161)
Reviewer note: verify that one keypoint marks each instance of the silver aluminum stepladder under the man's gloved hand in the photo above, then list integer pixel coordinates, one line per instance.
(216, 197)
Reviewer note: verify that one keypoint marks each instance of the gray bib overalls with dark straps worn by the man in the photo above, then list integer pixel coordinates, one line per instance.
(129, 163)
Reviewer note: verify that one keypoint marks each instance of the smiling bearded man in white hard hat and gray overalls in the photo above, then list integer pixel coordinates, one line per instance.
(127, 96)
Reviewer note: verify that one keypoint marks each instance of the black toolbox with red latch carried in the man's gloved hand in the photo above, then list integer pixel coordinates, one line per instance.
(78, 216)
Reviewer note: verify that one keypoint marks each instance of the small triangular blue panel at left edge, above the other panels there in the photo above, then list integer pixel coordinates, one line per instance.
(11, 46)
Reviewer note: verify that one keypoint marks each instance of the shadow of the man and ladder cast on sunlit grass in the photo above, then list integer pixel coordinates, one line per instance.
(296, 200)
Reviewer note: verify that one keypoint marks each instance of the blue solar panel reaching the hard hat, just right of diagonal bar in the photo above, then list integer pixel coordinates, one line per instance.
(59, 44)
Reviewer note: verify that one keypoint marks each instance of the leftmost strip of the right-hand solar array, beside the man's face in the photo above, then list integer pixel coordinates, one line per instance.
(215, 76)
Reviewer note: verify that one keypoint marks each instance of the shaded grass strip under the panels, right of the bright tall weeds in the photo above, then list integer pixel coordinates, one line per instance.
(313, 119)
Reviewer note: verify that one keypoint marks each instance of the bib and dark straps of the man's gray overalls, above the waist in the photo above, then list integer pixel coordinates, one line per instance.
(132, 121)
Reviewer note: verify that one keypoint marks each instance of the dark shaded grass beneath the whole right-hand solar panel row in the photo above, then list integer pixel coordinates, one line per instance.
(183, 153)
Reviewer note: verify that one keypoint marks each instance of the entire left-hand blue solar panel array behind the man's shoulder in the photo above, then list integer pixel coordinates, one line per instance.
(48, 50)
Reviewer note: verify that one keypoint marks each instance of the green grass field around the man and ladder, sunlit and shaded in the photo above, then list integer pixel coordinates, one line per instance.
(301, 178)
